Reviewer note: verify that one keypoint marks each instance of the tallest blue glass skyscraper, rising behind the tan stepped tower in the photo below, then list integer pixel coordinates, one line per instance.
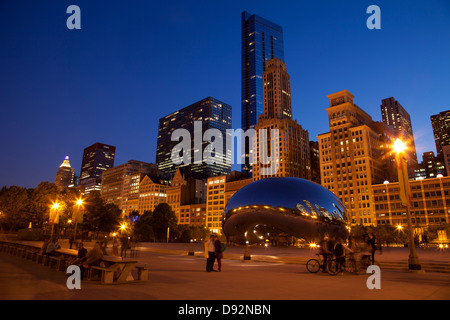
(262, 40)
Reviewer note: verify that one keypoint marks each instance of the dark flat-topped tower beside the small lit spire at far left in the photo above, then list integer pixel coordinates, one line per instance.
(96, 159)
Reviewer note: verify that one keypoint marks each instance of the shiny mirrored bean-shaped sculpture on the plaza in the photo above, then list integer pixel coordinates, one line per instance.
(294, 206)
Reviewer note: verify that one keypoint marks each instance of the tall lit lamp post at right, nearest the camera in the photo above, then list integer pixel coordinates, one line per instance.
(405, 195)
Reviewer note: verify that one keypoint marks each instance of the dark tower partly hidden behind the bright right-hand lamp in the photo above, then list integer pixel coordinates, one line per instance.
(396, 117)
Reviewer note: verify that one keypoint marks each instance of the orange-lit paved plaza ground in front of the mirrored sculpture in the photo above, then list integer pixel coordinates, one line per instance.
(273, 274)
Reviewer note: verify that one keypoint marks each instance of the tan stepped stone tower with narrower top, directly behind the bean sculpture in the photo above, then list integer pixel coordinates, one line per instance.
(280, 144)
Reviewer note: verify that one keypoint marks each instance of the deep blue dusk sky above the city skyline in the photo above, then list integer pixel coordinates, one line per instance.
(135, 61)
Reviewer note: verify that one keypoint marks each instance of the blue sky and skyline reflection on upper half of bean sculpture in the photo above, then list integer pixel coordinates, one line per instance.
(306, 197)
